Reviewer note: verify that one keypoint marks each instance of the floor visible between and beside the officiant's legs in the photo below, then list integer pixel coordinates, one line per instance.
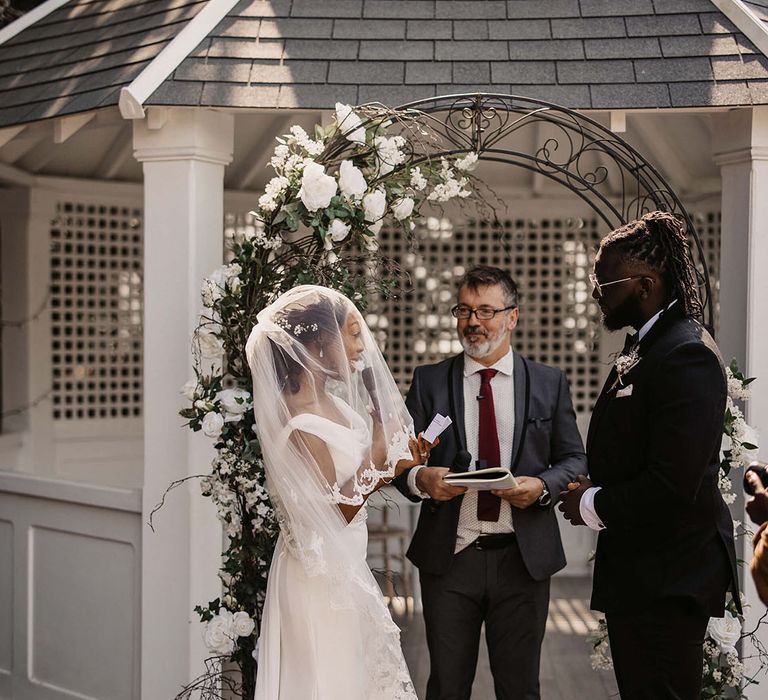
(566, 673)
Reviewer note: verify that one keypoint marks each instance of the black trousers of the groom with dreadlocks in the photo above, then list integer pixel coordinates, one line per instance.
(658, 653)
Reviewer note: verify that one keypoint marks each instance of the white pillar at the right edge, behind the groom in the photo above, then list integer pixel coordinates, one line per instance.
(741, 147)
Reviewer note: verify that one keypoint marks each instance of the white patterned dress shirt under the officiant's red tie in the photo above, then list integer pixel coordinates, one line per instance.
(503, 386)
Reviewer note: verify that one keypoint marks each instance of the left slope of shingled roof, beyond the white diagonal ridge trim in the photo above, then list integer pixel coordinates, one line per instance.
(78, 57)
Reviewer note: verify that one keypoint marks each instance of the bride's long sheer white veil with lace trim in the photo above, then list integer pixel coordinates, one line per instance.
(331, 424)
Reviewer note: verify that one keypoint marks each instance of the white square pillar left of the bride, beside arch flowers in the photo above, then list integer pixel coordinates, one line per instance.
(184, 153)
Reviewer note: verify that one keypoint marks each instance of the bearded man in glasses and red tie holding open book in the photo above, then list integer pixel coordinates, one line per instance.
(487, 556)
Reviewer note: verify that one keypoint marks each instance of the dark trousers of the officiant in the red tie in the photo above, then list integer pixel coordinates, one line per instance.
(491, 587)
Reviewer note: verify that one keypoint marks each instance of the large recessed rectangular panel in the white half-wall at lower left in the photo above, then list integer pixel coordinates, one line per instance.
(80, 609)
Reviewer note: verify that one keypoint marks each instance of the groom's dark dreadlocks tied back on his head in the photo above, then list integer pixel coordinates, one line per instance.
(658, 239)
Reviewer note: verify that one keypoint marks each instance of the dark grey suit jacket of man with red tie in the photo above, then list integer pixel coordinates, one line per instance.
(550, 446)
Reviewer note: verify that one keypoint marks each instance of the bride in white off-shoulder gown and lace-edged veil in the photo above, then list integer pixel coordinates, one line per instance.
(333, 428)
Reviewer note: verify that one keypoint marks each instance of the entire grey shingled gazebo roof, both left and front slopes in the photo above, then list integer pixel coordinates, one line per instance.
(584, 54)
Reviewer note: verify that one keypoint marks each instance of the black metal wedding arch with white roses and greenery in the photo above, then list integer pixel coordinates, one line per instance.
(318, 222)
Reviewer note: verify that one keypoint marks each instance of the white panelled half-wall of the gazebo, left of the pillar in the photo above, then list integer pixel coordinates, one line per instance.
(69, 590)
